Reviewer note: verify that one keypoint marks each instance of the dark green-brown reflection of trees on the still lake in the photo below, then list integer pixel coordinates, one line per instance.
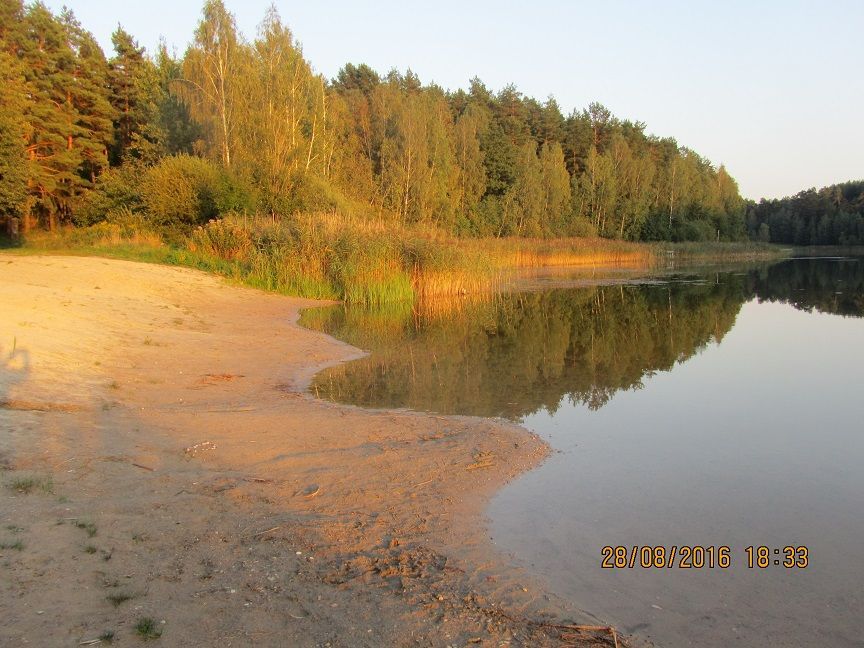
(518, 353)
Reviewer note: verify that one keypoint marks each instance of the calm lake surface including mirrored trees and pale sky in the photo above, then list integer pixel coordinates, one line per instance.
(717, 409)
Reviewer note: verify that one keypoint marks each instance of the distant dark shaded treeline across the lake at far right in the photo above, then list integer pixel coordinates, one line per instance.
(830, 216)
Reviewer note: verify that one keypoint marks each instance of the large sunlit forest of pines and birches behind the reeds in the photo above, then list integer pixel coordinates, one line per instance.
(248, 126)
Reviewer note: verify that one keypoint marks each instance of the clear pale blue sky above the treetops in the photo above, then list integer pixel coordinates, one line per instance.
(773, 89)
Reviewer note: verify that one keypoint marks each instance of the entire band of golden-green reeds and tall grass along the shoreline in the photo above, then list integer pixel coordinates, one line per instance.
(365, 261)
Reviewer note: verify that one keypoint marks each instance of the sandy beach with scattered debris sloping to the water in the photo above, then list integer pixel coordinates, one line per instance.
(160, 458)
